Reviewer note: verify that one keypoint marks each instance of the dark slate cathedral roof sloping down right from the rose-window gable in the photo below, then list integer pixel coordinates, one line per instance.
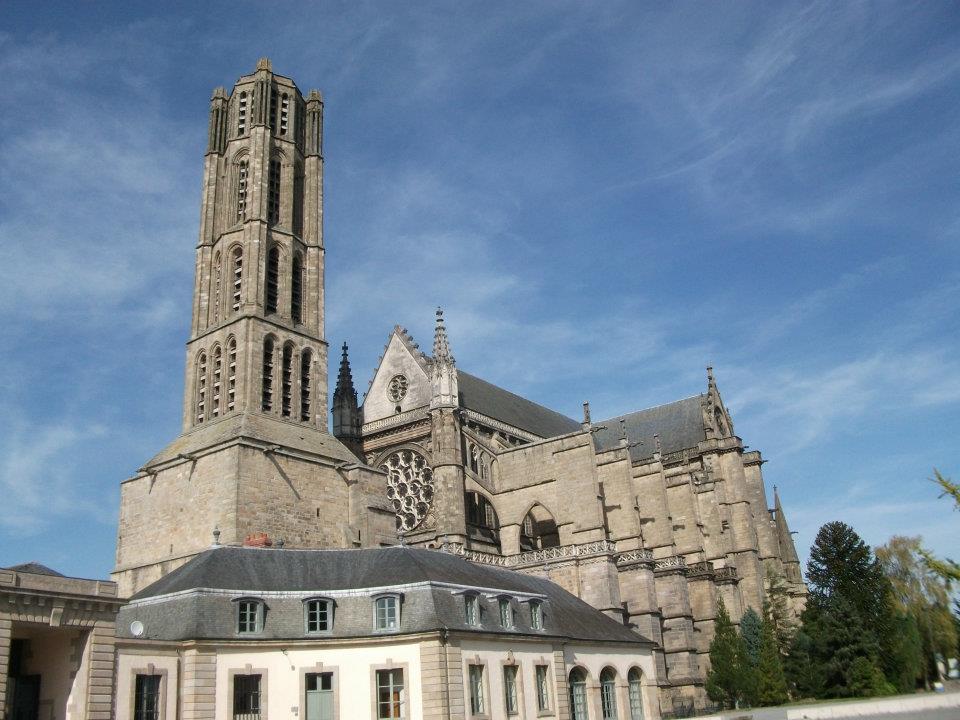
(500, 404)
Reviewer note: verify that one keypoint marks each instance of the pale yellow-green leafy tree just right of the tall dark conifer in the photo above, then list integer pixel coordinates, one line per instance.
(919, 591)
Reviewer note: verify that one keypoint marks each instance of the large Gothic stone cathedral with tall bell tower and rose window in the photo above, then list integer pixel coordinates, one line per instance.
(651, 517)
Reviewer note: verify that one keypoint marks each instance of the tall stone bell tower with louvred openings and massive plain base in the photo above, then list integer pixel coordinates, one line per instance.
(255, 459)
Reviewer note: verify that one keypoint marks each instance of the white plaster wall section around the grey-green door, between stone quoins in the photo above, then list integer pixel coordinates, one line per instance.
(354, 677)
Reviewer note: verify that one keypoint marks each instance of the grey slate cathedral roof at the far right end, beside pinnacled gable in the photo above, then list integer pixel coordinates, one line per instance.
(679, 424)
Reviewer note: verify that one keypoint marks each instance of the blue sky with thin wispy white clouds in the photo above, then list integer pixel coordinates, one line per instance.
(604, 197)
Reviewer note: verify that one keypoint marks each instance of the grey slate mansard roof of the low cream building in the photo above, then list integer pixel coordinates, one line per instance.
(169, 611)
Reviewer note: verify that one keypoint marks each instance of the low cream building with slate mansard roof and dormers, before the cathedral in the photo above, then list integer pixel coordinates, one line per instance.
(256, 634)
